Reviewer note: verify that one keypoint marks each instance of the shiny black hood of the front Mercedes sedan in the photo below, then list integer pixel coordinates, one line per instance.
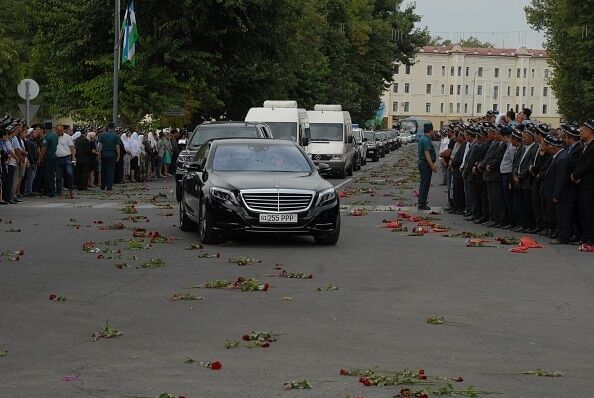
(245, 180)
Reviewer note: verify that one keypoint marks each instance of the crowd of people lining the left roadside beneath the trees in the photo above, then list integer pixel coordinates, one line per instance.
(42, 161)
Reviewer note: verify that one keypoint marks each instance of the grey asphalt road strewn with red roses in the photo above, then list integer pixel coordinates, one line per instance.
(509, 313)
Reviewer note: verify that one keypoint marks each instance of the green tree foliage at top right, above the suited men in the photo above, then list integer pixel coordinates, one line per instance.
(570, 43)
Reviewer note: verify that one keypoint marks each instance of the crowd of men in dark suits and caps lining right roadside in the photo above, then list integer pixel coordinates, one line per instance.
(505, 171)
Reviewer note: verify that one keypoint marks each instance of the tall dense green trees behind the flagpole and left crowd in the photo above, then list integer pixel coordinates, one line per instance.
(213, 58)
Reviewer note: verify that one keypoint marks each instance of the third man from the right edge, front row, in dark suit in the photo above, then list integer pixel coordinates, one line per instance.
(525, 181)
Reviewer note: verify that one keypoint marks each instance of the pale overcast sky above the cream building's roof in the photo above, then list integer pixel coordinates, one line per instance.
(502, 22)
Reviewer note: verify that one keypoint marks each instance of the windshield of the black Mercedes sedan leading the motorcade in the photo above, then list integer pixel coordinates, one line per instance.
(260, 158)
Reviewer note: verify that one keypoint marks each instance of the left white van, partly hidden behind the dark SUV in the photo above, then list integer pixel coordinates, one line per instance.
(285, 120)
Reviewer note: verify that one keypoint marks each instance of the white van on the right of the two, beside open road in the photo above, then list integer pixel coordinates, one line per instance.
(332, 138)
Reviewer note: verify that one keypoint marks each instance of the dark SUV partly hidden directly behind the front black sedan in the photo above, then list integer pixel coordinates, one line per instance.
(213, 130)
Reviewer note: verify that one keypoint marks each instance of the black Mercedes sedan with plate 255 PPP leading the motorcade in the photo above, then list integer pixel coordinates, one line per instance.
(258, 186)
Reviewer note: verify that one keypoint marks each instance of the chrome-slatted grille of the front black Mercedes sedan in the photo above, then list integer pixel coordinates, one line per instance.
(277, 200)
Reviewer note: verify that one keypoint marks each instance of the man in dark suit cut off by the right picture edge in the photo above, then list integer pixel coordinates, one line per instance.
(583, 177)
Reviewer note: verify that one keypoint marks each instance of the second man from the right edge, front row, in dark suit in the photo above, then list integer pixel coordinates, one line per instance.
(559, 193)
